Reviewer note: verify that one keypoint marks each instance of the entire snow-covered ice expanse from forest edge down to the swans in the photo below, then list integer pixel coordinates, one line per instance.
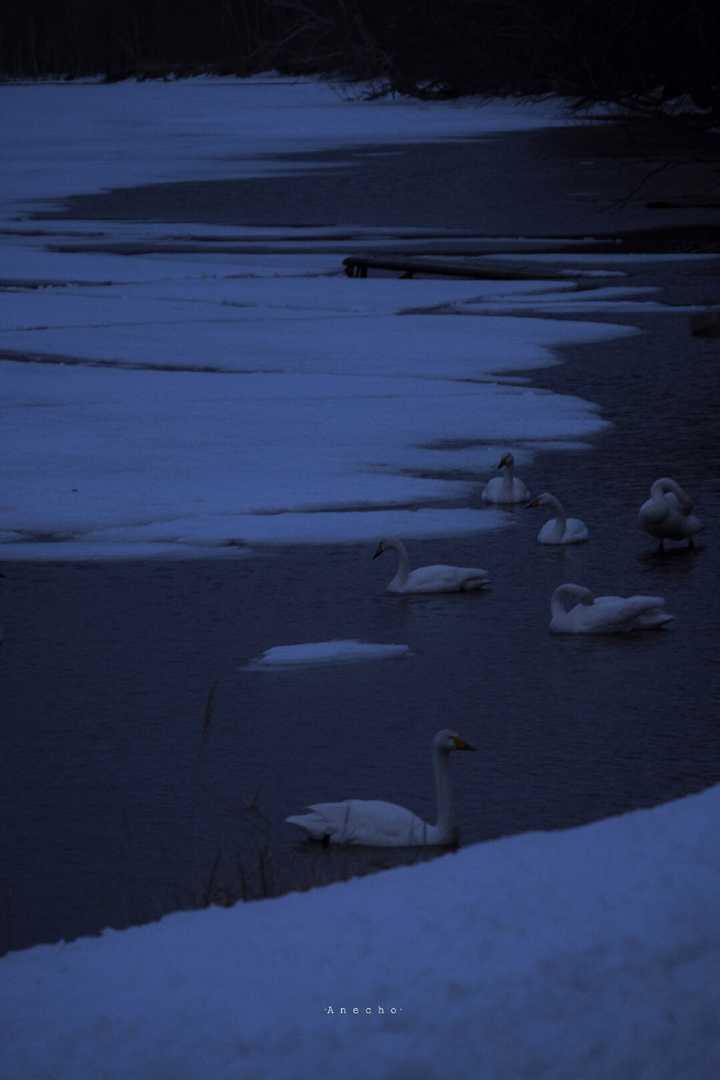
(213, 389)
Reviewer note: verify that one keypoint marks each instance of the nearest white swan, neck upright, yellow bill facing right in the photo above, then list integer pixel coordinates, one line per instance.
(386, 825)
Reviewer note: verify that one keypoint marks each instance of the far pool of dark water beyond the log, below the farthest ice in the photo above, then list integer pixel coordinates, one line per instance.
(542, 183)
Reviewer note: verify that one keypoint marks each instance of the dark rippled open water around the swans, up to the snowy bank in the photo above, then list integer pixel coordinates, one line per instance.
(117, 806)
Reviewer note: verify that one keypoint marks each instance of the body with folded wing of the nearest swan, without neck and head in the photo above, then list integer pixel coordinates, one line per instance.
(366, 822)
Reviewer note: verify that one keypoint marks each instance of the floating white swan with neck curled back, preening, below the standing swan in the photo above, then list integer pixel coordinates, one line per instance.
(577, 612)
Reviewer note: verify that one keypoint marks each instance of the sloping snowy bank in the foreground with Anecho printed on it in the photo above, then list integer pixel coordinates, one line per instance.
(580, 955)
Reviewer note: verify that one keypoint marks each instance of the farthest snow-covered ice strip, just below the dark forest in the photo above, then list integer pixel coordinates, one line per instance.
(65, 140)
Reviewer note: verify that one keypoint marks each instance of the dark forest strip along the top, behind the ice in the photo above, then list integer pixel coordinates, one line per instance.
(635, 52)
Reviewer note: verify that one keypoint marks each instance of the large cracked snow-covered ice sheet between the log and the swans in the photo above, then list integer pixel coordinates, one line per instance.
(320, 398)
